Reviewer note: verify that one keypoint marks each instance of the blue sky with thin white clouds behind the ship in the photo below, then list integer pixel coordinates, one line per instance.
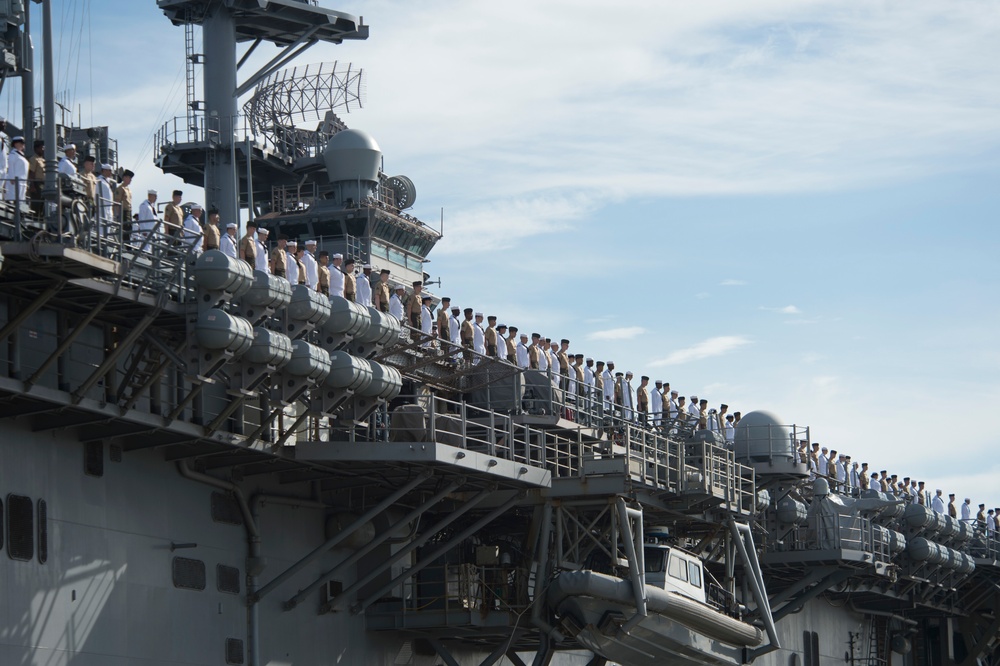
(780, 205)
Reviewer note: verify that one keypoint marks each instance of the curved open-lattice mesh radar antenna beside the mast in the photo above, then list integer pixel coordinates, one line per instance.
(305, 94)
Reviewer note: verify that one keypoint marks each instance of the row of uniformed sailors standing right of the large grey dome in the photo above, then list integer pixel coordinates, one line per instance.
(851, 478)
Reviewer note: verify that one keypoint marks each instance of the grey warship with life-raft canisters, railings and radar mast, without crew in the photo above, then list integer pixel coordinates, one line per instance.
(204, 464)
